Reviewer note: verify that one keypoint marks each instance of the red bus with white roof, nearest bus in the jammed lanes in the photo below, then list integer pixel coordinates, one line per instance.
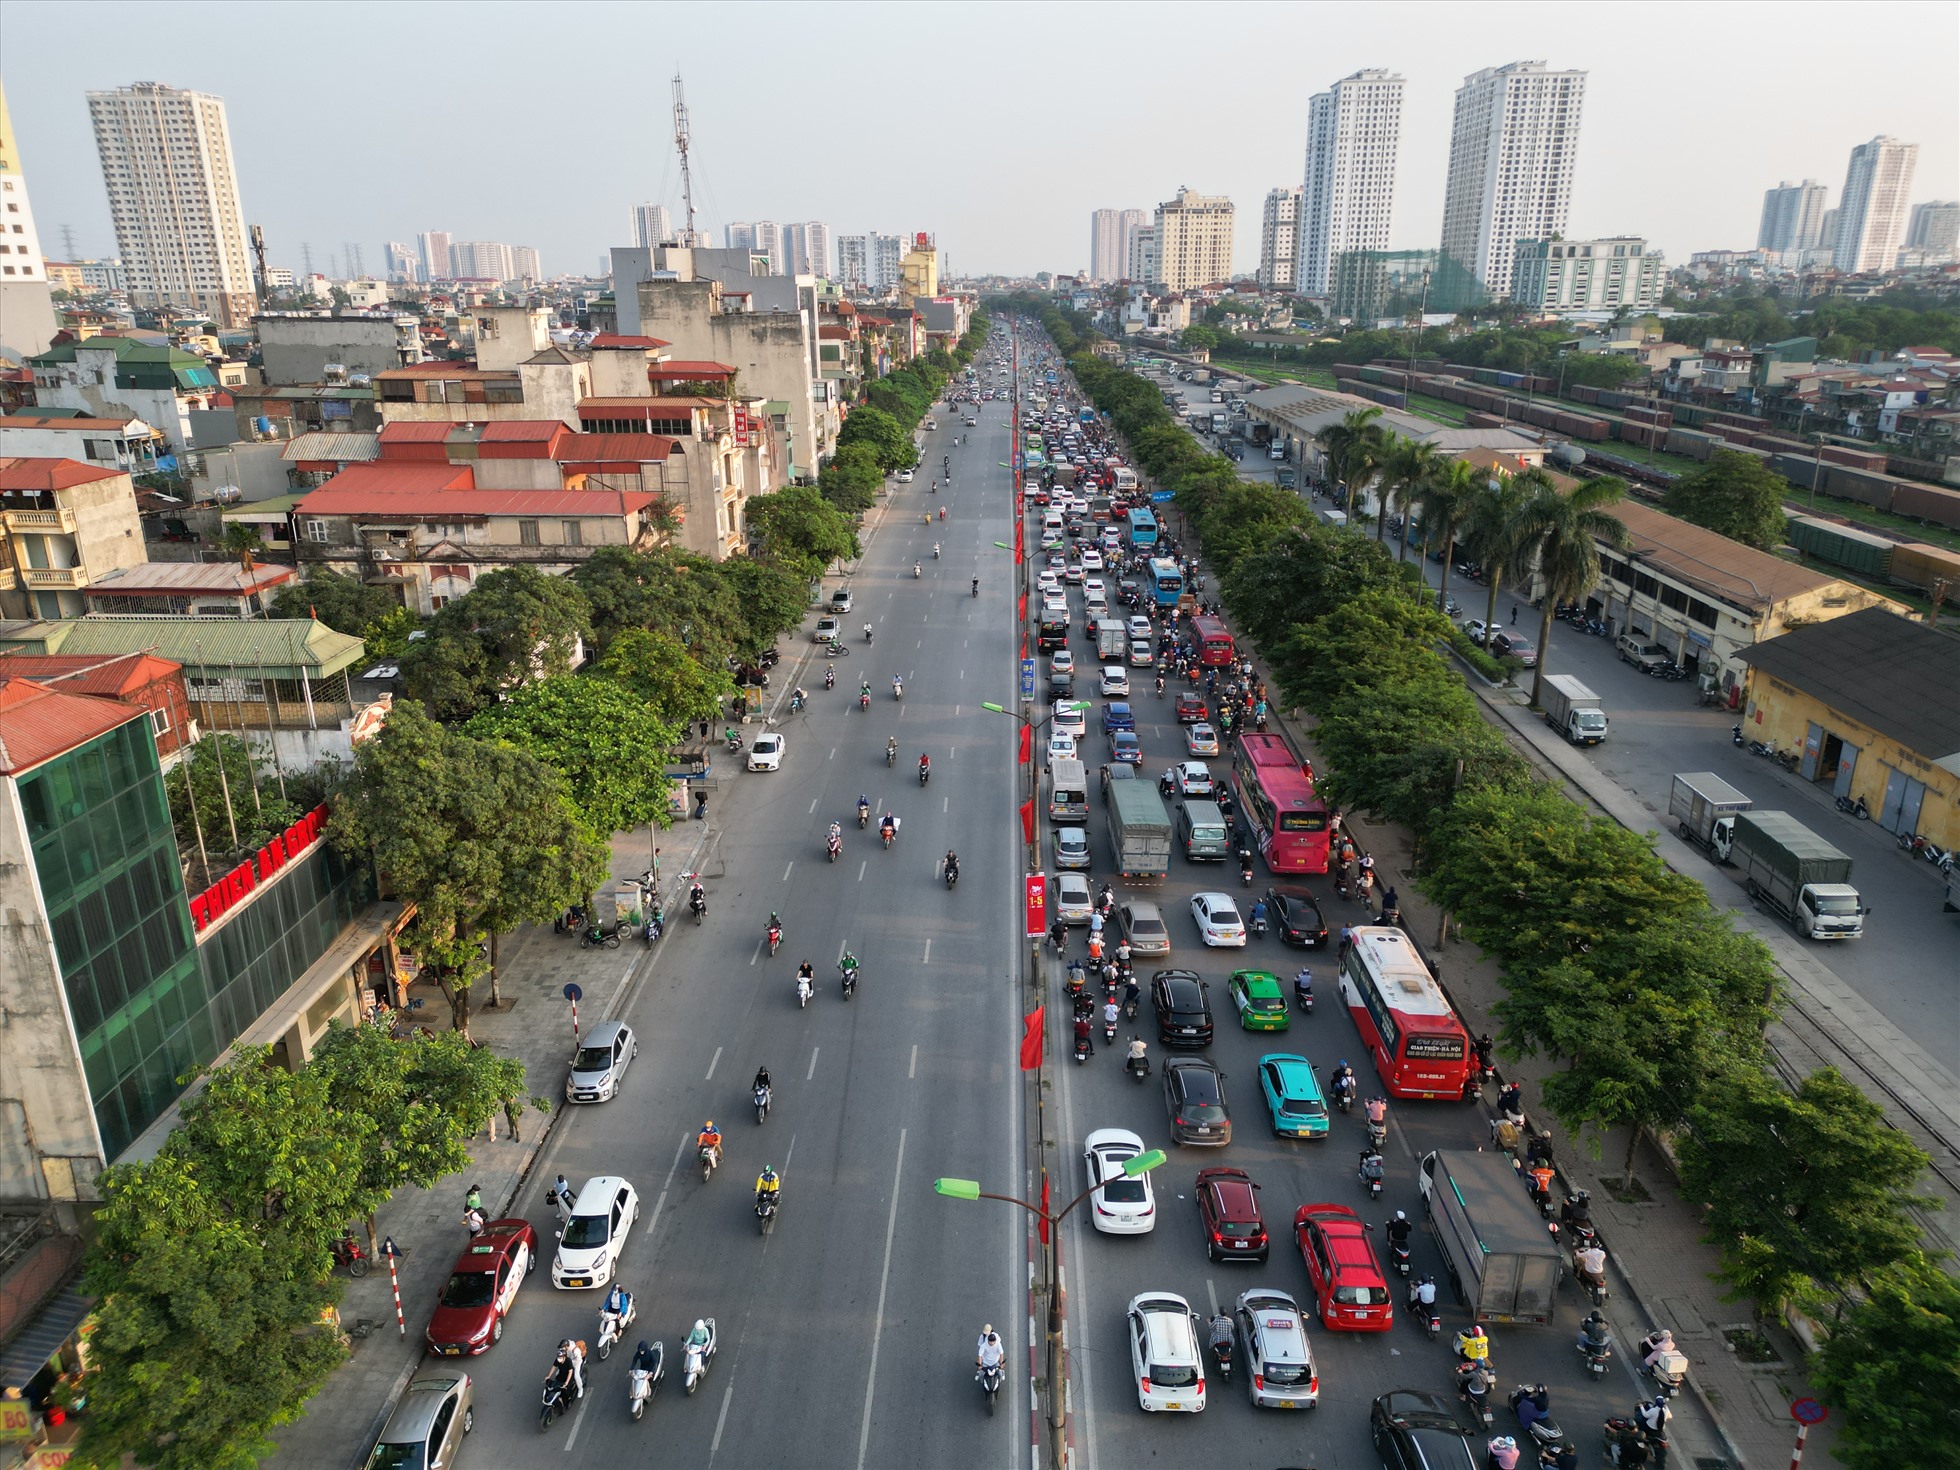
(1404, 1018)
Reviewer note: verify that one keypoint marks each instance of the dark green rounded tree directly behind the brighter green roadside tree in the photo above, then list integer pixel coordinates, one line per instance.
(514, 626)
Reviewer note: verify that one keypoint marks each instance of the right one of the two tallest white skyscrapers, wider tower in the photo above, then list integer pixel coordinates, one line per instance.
(1514, 148)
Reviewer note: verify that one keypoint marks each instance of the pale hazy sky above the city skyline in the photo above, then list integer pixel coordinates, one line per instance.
(995, 126)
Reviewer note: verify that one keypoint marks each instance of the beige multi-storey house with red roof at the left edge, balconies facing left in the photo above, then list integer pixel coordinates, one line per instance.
(66, 524)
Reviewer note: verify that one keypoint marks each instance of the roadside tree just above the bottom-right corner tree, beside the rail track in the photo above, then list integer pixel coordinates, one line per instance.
(1800, 1187)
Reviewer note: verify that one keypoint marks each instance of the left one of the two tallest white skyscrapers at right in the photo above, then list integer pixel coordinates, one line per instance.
(1349, 193)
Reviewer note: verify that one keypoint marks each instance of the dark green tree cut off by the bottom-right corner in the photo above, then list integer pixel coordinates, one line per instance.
(1892, 1371)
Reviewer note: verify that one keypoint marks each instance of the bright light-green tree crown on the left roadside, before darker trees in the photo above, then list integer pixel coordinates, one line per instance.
(607, 742)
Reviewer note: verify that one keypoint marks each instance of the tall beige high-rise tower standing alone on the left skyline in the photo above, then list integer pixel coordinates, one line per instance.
(175, 199)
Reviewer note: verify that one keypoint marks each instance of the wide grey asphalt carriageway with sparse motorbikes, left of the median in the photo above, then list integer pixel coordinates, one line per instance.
(846, 1338)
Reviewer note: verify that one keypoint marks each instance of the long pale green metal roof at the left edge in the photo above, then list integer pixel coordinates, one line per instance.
(283, 648)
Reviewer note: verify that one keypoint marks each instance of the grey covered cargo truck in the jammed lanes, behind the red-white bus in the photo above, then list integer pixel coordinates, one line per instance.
(1502, 1261)
